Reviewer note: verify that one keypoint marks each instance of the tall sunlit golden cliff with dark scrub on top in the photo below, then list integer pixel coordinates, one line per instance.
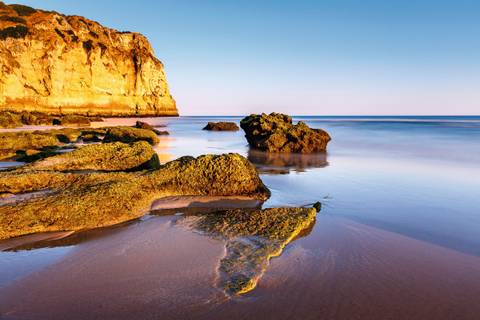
(71, 65)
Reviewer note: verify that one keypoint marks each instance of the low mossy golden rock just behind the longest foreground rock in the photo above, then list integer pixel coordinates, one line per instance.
(116, 156)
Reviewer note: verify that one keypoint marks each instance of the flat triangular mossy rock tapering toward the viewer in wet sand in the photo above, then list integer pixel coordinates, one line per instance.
(252, 237)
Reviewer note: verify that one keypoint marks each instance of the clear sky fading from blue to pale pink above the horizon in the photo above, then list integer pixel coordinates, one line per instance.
(337, 57)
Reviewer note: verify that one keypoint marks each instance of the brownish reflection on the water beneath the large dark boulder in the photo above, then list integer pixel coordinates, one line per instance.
(283, 163)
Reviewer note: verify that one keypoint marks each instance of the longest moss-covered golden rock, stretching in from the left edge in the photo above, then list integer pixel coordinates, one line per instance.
(90, 200)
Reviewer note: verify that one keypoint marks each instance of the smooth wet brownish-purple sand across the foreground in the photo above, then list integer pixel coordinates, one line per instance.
(155, 269)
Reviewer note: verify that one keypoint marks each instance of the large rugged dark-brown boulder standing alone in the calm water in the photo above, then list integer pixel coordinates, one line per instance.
(276, 133)
